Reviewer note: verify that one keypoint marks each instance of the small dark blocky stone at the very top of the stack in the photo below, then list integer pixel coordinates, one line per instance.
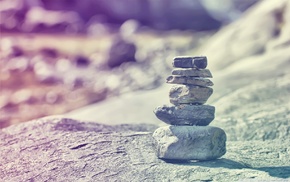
(190, 62)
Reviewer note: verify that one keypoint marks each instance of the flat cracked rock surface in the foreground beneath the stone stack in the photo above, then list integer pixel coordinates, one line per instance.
(59, 149)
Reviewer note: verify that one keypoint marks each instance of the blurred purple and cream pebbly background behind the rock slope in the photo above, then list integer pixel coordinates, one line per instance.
(60, 55)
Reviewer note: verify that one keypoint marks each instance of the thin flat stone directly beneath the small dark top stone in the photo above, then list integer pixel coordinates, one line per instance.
(204, 73)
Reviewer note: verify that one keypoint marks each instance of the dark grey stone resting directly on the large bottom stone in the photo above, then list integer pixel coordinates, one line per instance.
(185, 114)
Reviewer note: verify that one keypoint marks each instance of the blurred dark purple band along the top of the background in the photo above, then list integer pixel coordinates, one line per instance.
(72, 16)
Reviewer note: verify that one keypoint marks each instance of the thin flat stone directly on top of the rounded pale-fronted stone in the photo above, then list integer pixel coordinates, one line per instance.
(189, 81)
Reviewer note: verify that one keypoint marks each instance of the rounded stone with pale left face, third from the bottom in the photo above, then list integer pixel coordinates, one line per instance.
(189, 94)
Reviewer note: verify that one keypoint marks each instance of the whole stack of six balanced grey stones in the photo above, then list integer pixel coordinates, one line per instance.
(188, 137)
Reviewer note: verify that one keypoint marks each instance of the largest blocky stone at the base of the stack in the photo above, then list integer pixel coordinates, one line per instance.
(190, 142)
